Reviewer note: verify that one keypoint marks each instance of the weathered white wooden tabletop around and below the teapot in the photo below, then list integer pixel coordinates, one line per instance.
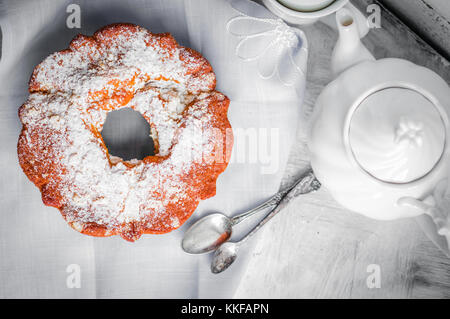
(316, 248)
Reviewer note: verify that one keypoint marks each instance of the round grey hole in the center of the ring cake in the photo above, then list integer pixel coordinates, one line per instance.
(126, 134)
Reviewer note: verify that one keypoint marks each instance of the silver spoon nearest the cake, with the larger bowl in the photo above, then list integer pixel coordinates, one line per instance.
(209, 232)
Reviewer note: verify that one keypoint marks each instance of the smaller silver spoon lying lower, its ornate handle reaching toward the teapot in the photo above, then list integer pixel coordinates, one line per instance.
(226, 254)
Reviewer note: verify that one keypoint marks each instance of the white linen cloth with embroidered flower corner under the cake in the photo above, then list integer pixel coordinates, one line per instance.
(265, 87)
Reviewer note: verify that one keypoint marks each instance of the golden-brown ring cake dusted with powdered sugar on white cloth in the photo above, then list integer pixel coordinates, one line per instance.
(61, 151)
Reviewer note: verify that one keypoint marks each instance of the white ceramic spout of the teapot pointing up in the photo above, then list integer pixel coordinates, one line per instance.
(349, 50)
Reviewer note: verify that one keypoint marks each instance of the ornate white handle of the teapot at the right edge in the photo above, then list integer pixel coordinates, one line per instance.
(434, 221)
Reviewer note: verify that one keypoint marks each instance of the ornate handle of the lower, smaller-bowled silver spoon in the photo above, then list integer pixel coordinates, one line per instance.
(306, 184)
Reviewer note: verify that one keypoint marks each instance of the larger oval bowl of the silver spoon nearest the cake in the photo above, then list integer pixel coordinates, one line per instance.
(207, 234)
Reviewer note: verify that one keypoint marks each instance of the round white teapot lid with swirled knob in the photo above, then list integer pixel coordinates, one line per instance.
(397, 135)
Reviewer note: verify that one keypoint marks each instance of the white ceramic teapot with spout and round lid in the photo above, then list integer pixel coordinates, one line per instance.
(379, 134)
